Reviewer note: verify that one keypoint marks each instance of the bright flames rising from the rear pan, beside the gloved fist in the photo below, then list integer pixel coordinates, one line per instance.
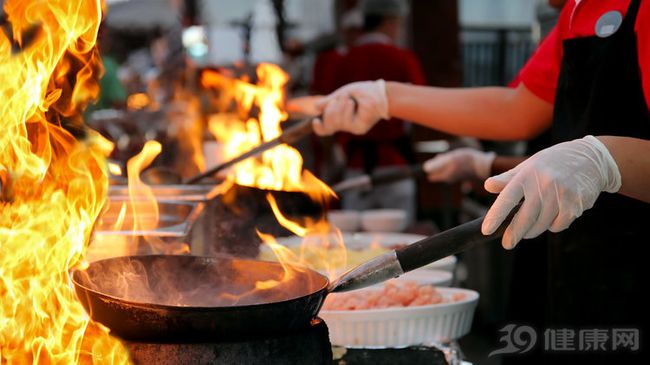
(280, 168)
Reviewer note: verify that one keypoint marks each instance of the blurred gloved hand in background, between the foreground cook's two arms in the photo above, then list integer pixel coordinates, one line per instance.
(460, 164)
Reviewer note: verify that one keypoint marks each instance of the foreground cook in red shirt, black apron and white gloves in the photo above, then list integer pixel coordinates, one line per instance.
(590, 82)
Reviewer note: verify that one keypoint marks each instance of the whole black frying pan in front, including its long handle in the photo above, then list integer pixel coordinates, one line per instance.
(179, 298)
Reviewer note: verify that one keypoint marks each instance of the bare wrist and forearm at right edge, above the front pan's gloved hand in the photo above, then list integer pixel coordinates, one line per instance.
(632, 156)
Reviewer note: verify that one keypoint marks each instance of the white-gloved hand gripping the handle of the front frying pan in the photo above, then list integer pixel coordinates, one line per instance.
(558, 185)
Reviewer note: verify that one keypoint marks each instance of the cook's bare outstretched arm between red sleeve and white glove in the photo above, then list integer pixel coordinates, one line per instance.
(495, 113)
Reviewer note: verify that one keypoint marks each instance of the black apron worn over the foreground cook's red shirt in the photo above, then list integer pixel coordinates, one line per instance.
(599, 268)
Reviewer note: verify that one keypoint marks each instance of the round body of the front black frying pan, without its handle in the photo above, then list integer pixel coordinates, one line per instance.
(152, 309)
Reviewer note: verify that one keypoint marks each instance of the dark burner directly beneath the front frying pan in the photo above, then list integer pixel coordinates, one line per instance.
(307, 347)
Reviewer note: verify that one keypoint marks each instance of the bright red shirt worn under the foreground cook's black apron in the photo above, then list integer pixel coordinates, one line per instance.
(578, 19)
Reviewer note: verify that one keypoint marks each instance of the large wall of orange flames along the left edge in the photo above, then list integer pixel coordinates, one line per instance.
(54, 185)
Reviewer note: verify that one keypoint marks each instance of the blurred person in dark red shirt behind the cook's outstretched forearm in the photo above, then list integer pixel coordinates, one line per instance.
(375, 55)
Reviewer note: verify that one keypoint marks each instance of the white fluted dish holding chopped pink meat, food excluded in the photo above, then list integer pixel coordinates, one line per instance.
(403, 326)
